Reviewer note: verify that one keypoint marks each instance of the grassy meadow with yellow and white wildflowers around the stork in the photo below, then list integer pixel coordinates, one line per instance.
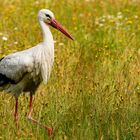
(94, 89)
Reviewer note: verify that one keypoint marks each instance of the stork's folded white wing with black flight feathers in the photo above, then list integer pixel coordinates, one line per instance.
(13, 67)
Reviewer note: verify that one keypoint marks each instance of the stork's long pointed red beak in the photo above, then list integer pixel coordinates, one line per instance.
(59, 27)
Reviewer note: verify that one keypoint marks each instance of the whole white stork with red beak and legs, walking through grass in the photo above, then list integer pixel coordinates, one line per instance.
(23, 71)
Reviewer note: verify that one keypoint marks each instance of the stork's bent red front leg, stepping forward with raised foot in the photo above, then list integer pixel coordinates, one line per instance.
(35, 121)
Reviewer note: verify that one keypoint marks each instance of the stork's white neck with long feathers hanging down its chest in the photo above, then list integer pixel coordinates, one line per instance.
(47, 54)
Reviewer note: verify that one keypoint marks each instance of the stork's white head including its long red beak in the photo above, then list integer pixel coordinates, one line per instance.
(47, 17)
